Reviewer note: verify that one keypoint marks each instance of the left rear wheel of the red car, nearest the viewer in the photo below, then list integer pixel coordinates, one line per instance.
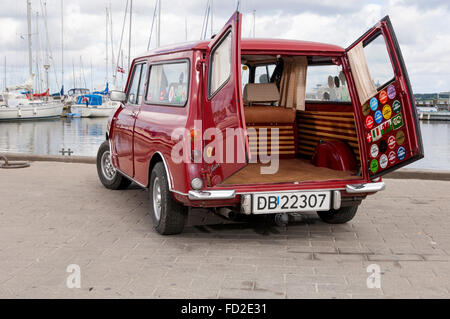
(169, 217)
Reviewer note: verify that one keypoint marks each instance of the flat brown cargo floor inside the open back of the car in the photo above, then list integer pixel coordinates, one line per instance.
(290, 170)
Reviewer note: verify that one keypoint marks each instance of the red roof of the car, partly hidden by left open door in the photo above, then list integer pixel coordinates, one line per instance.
(253, 45)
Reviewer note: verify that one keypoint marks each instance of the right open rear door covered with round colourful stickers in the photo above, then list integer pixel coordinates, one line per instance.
(386, 108)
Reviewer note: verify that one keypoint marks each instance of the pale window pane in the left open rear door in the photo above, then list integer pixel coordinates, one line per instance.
(220, 64)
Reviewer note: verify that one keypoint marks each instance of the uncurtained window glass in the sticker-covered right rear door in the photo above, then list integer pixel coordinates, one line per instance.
(378, 61)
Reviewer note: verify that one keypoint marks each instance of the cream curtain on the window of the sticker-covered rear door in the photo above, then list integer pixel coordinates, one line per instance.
(361, 74)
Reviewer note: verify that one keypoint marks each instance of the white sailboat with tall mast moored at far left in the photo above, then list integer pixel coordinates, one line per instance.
(19, 106)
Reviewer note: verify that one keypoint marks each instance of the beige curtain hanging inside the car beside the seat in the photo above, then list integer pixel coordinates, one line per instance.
(293, 83)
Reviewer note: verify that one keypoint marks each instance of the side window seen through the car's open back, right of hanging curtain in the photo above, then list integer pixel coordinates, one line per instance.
(326, 83)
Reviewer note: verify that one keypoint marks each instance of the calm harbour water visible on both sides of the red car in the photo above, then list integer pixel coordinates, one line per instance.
(84, 136)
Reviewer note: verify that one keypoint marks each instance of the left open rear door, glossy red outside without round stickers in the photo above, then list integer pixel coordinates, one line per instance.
(226, 148)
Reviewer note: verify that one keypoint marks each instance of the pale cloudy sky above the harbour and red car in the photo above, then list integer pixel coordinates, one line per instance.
(421, 27)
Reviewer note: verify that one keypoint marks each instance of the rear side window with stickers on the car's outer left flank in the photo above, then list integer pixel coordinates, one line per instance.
(168, 83)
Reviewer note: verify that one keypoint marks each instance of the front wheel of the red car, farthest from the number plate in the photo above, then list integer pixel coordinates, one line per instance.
(108, 175)
